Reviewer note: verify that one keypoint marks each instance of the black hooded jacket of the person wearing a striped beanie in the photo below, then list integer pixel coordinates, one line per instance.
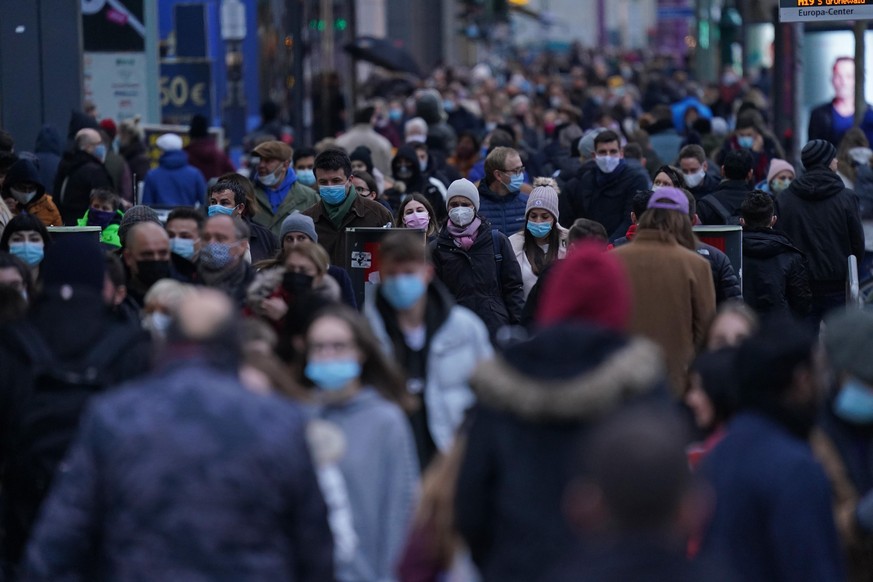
(822, 218)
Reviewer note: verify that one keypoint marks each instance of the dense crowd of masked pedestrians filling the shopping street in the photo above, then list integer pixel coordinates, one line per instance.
(549, 376)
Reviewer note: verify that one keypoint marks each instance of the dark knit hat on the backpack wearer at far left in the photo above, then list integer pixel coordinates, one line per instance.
(77, 261)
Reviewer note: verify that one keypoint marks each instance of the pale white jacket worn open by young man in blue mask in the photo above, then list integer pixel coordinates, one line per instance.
(455, 350)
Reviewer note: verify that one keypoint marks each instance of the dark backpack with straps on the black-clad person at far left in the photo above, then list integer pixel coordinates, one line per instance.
(47, 415)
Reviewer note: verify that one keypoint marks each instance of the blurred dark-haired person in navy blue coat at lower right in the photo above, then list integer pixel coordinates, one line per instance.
(773, 517)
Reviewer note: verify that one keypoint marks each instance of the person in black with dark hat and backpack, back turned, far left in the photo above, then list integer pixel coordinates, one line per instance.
(70, 348)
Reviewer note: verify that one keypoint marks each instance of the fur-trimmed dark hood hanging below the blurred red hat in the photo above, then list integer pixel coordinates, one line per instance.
(569, 373)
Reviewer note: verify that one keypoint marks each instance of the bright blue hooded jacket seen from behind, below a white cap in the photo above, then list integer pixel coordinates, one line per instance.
(174, 182)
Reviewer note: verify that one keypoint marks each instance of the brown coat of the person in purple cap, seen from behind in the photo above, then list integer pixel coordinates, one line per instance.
(674, 298)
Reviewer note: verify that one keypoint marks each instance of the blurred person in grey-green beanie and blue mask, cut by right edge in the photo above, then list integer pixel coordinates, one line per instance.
(843, 440)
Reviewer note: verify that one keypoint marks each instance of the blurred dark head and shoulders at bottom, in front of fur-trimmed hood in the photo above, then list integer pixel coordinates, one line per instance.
(635, 502)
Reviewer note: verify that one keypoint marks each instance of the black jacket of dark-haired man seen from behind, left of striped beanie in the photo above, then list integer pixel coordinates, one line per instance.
(775, 279)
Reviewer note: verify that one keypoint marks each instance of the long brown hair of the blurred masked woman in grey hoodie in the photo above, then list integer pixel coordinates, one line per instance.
(376, 370)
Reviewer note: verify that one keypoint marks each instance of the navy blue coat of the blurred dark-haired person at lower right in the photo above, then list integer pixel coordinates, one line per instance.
(773, 518)
